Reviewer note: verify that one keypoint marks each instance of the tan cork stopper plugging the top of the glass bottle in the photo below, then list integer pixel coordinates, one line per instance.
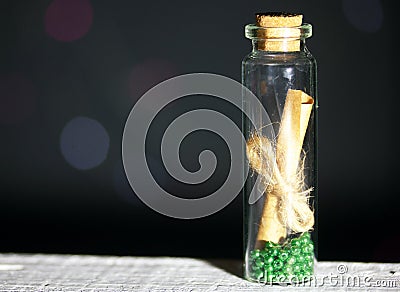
(281, 33)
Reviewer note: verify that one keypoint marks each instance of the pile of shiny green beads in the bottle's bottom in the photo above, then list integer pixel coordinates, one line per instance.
(292, 261)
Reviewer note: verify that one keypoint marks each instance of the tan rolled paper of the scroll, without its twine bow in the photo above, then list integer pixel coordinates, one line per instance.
(295, 118)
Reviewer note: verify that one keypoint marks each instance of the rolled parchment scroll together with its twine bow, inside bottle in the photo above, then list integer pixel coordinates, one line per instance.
(286, 205)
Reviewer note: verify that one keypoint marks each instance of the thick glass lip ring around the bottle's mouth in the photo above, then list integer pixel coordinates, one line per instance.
(255, 32)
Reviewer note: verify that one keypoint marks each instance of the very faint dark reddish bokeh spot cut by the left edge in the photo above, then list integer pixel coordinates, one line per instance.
(17, 98)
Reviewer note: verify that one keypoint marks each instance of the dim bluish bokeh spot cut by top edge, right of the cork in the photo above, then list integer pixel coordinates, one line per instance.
(364, 15)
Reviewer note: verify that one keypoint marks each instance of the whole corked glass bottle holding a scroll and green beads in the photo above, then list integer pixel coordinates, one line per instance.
(281, 188)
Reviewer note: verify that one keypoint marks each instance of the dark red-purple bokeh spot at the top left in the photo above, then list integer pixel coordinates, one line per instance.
(68, 20)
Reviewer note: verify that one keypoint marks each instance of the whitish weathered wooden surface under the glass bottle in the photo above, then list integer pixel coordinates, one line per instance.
(26, 272)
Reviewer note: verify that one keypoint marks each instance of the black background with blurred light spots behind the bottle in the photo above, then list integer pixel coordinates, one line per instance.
(70, 71)
